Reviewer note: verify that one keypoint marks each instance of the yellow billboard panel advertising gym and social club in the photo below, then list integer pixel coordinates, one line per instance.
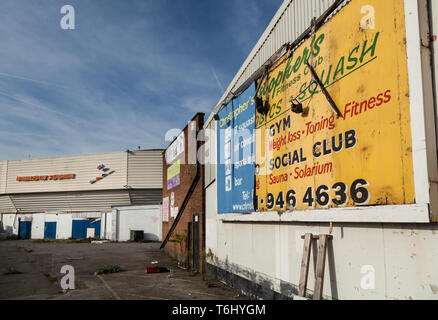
(362, 156)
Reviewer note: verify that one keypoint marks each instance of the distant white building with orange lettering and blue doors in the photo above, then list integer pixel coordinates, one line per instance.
(105, 195)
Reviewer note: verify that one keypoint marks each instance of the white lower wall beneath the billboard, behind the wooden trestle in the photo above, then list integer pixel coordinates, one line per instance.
(404, 256)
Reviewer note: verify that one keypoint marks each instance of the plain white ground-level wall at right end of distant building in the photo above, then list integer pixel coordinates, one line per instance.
(146, 218)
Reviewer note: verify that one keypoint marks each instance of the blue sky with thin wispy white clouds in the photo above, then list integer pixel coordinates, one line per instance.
(124, 77)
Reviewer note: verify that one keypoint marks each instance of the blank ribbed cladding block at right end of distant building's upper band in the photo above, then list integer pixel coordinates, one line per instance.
(145, 169)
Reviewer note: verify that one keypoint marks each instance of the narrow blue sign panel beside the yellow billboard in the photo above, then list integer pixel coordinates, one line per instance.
(236, 150)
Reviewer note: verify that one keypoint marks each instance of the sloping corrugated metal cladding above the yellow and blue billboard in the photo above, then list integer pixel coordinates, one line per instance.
(290, 21)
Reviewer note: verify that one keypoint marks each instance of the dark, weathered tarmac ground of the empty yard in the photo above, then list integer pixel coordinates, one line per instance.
(31, 270)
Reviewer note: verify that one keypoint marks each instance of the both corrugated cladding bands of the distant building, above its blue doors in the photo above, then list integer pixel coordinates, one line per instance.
(140, 172)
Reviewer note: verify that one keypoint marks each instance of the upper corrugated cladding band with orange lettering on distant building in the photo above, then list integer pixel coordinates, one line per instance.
(138, 169)
